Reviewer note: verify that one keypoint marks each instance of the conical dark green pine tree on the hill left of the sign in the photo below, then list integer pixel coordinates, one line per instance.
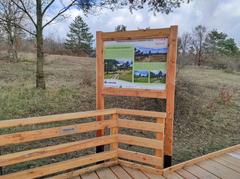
(79, 39)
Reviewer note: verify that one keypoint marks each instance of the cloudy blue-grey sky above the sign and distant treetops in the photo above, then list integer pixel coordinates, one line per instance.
(223, 15)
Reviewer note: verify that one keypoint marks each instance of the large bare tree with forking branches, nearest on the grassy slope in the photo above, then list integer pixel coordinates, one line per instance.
(35, 13)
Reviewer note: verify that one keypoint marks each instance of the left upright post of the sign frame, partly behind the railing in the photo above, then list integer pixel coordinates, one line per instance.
(99, 84)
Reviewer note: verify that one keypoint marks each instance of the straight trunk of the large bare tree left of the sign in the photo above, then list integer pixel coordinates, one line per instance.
(40, 81)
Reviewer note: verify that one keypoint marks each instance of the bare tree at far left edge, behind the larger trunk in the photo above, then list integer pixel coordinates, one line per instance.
(9, 16)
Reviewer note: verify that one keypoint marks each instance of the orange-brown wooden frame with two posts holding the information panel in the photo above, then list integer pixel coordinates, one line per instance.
(167, 94)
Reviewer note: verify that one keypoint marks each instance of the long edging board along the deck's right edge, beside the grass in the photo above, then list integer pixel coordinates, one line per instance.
(201, 158)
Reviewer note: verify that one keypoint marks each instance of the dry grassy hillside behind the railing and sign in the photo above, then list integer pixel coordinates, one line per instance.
(207, 107)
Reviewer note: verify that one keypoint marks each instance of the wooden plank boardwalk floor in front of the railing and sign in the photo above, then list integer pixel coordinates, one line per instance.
(220, 164)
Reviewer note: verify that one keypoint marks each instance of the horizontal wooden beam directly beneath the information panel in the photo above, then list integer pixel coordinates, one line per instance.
(146, 93)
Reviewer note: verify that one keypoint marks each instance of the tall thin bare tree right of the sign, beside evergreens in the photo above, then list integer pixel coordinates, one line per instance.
(200, 36)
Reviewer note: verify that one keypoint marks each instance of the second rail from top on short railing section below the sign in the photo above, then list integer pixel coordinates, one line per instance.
(141, 125)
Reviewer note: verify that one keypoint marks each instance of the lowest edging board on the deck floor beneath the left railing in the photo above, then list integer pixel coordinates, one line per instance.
(84, 170)
